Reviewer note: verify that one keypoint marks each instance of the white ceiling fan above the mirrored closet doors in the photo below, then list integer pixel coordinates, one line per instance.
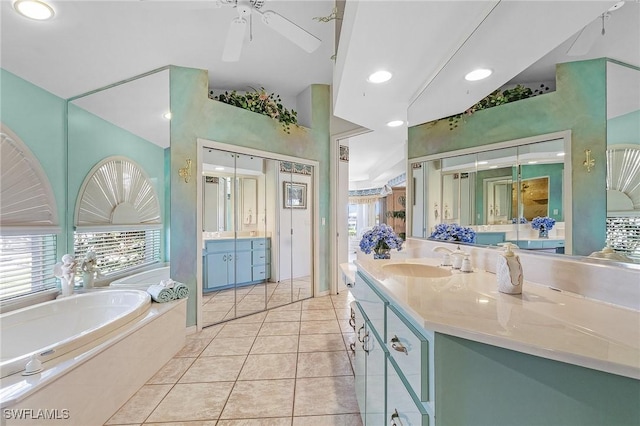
(238, 26)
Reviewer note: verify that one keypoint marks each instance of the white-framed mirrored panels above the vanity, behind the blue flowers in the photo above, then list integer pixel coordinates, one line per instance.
(497, 192)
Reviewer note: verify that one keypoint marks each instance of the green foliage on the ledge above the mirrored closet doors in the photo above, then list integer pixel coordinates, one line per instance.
(260, 101)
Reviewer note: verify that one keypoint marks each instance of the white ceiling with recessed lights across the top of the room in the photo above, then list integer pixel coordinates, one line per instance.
(428, 45)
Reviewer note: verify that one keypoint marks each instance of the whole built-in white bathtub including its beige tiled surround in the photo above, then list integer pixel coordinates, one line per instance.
(116, 341)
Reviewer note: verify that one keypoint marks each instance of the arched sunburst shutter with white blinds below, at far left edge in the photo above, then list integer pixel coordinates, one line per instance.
(28, 221)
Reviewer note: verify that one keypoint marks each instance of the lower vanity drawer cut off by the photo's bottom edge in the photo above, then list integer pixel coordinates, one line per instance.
(403, 408)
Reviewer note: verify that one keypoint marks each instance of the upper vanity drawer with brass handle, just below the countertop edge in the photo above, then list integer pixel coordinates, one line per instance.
(410, 349)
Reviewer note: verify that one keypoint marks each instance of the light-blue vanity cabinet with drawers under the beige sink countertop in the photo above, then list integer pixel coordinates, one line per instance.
(434, 377)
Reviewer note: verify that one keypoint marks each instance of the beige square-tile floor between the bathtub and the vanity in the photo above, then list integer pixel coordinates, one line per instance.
(288, 366)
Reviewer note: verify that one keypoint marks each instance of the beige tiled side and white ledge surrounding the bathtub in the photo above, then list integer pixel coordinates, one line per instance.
(91, 382)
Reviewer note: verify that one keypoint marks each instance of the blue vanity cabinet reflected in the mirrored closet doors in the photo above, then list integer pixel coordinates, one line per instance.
(235, 262)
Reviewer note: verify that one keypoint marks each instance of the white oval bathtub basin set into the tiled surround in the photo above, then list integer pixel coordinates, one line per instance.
(54, 328)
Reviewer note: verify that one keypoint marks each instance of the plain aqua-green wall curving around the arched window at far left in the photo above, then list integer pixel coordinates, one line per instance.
(39, 119)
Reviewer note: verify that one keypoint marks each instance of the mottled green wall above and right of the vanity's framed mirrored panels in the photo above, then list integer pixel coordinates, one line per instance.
(578, 104)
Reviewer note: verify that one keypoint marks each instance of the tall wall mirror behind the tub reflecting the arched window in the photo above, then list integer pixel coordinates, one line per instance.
(118, 151)
